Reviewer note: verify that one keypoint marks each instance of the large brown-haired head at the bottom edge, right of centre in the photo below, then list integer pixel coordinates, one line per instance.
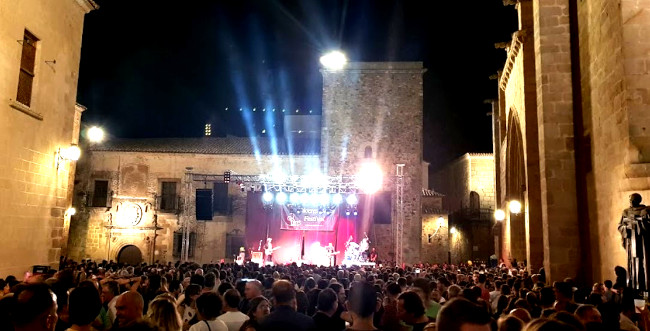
(460, 314)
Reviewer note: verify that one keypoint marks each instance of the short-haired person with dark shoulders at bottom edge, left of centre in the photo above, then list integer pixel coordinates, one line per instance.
(285, 316)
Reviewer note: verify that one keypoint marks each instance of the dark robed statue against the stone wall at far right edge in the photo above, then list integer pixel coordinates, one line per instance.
(635, 234)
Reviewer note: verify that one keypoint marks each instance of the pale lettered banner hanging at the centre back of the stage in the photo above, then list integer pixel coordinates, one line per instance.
(308, 220)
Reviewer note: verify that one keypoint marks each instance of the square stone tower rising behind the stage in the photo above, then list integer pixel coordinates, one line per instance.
(374, 110)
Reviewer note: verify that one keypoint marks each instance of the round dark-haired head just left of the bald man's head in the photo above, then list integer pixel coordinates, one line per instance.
(84, 305)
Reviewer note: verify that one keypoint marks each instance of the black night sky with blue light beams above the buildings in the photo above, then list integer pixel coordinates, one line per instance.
(164, 69)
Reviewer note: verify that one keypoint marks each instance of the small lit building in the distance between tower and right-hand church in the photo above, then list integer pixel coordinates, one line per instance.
(468, 184)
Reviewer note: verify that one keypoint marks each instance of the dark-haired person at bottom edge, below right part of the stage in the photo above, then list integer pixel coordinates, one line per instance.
(363, 304)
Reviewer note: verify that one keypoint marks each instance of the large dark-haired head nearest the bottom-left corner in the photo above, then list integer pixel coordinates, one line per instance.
(34, 308)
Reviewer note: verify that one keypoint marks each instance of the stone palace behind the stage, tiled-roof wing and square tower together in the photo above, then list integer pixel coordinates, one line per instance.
(357, 126)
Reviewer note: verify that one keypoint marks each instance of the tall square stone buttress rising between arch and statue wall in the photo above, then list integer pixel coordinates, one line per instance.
(556, 141)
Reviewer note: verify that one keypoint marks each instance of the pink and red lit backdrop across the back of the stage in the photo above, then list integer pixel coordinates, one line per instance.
(300, 237)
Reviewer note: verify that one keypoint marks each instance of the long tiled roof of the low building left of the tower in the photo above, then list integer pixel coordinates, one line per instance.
(212, 145)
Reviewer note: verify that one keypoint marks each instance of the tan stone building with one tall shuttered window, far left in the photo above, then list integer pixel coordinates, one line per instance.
(39, 64)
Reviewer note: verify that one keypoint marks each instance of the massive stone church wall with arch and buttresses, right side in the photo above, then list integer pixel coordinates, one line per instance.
(571, 139)
